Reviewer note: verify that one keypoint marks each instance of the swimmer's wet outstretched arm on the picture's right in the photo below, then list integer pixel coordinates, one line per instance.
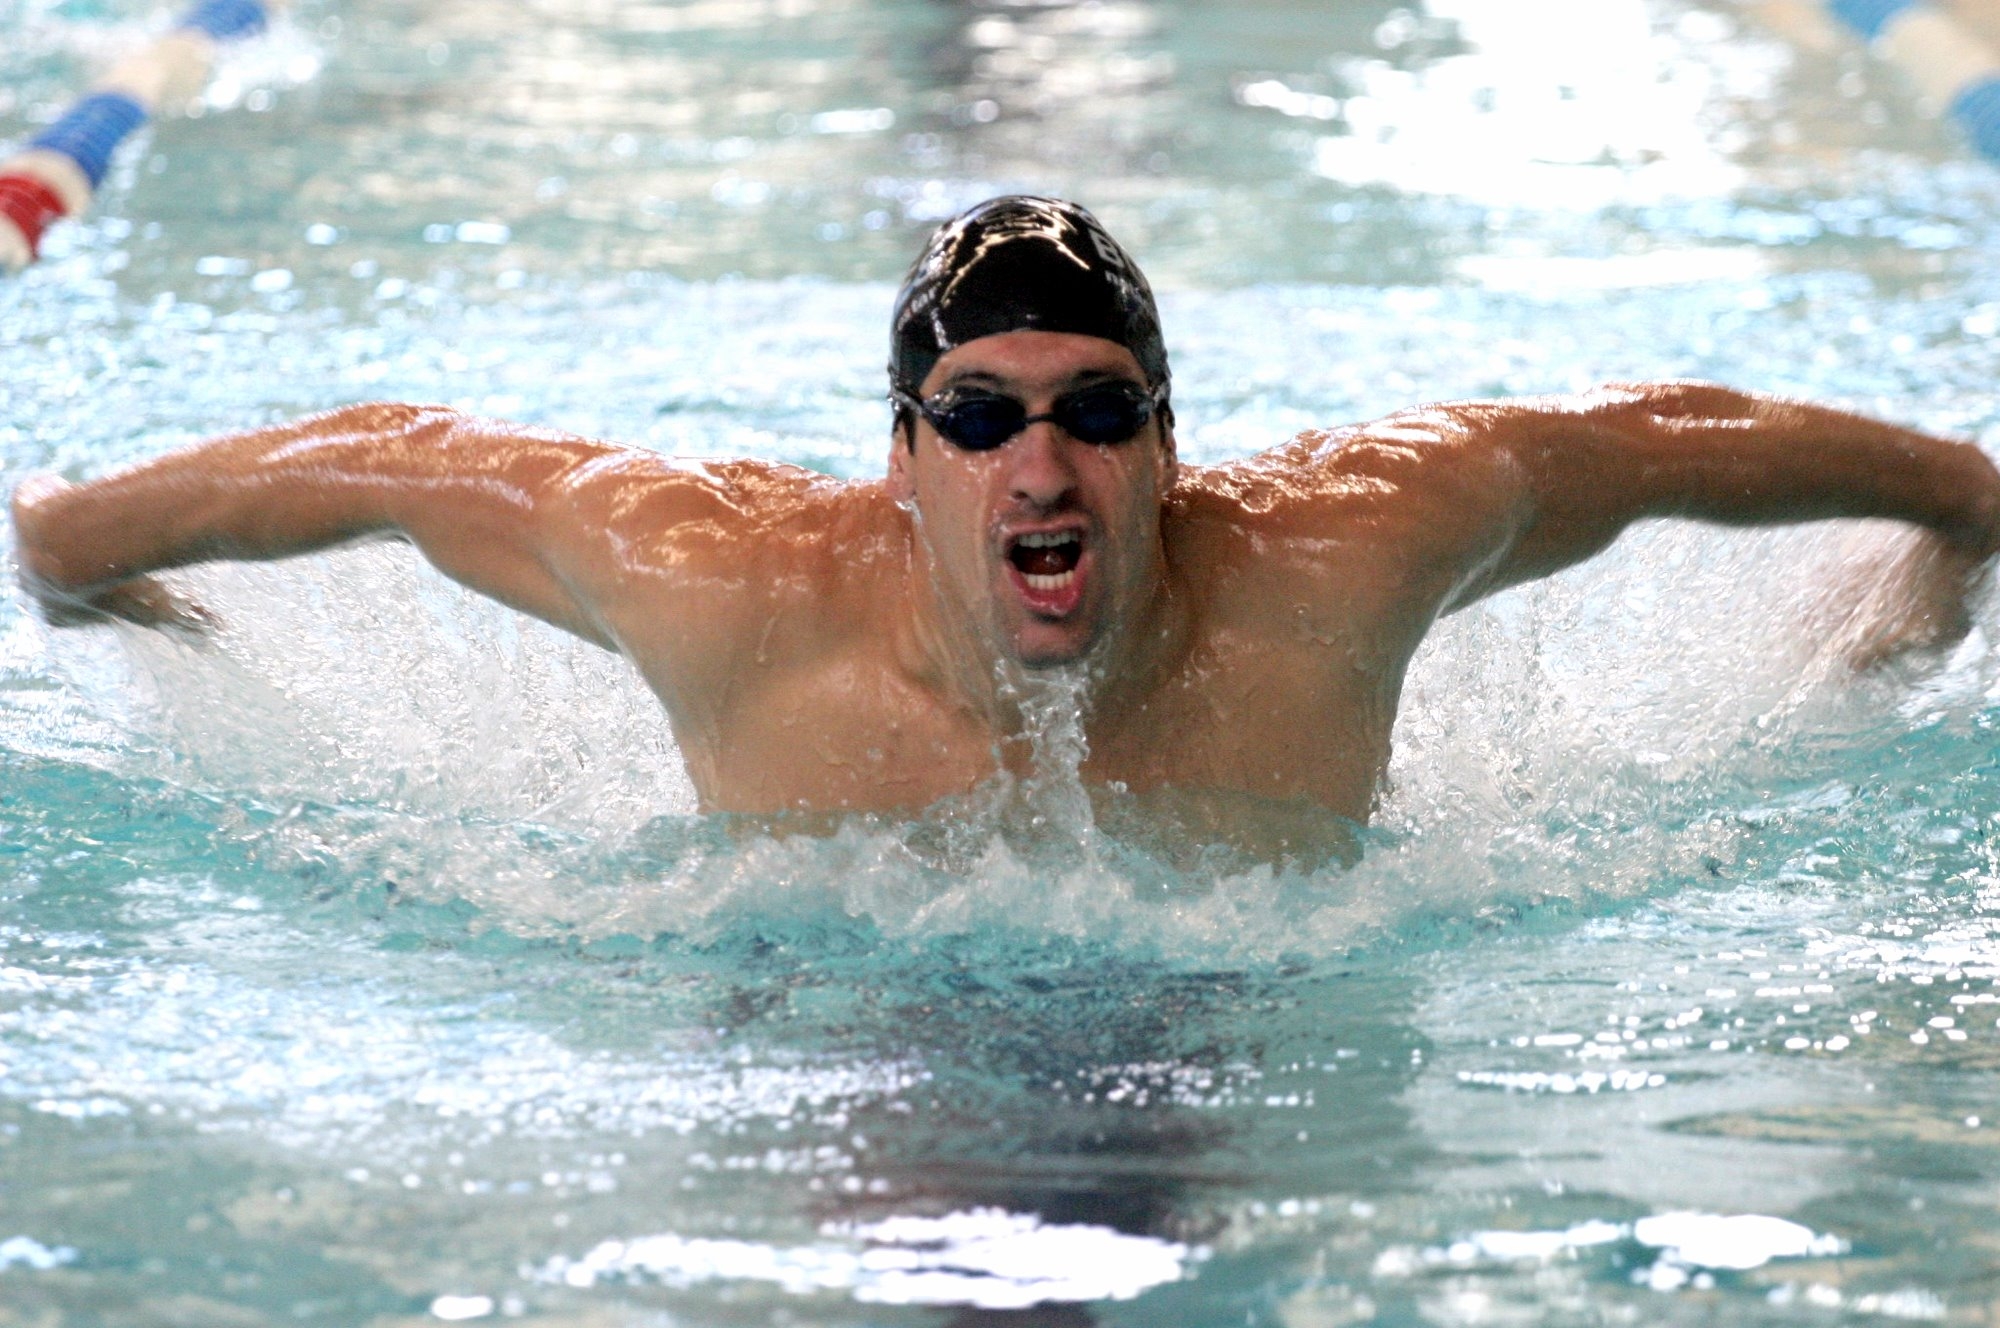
(1579, 471)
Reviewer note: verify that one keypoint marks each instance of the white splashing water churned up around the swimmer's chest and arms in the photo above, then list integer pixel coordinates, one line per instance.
(1595, 739)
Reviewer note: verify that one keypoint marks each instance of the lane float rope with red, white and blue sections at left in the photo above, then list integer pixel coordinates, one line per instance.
(61, 169)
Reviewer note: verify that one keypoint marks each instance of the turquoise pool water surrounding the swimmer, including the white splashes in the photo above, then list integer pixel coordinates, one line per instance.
(369, 965)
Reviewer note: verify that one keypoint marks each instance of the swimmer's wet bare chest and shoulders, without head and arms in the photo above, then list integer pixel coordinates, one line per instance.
(1301, 621)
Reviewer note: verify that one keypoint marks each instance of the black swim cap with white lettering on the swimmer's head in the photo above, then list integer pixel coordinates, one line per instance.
(1023, 263)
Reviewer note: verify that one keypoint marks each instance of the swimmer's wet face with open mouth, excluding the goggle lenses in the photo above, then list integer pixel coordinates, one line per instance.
(1043, 545)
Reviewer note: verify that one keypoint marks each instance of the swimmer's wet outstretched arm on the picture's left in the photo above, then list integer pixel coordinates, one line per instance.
(487, 503)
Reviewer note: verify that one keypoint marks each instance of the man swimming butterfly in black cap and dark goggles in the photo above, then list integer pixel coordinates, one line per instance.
(831, 645)
